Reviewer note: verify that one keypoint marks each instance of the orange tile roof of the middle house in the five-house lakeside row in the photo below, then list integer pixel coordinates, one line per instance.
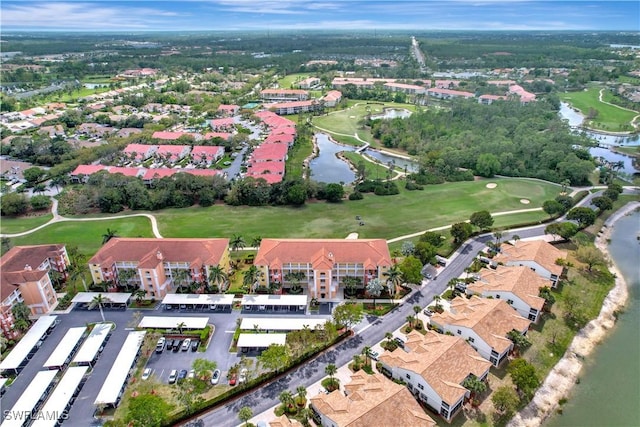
(490, 319)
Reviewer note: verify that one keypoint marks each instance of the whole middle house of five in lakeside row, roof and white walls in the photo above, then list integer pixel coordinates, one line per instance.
(484, 323)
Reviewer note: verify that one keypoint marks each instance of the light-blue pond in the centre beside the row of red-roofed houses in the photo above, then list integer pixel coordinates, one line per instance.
(327, 167)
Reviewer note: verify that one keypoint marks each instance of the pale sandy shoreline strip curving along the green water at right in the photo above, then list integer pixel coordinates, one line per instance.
(564, 375)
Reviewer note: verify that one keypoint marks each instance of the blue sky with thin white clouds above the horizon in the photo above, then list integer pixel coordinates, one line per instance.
(292, 15)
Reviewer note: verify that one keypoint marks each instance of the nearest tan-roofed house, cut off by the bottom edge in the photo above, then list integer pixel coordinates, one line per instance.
(369, 400)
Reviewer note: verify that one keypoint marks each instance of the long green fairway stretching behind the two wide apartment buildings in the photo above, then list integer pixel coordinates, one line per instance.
(384, 216)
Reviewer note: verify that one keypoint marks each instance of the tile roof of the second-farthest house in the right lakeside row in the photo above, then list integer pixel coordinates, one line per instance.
(519, 280)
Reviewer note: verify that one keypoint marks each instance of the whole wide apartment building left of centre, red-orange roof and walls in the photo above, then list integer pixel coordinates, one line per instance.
(158, 266)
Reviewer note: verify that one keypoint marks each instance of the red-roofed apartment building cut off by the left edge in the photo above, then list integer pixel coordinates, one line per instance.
(27, 275)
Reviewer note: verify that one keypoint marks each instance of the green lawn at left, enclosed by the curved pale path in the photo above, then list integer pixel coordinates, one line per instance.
(87, 236)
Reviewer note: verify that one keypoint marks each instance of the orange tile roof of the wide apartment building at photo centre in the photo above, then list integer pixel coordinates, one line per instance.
(308, 250)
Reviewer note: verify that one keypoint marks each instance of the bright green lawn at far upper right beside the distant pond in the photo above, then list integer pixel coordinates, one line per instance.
(609, 117)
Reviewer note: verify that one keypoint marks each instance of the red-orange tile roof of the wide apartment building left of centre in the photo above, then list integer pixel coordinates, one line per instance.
(210, 251)
